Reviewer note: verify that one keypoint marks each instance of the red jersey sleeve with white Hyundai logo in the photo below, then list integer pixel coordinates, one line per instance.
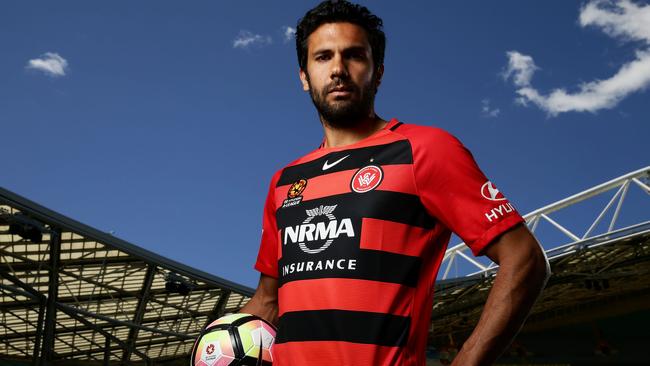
(455, 191)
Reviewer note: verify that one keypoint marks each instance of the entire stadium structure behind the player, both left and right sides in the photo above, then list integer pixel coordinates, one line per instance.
(73, 295)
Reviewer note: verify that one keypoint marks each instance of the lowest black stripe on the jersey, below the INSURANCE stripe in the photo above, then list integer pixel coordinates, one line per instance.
(342, 325)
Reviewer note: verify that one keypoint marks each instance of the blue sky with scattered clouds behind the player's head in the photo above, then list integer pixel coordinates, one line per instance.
(163, 121)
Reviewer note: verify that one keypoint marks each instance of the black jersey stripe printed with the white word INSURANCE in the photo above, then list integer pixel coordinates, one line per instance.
(372, 265)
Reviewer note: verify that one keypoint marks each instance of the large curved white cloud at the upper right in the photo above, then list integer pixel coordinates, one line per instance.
(621, 19)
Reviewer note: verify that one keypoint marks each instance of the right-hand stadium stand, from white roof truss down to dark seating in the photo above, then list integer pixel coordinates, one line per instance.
(595, 308)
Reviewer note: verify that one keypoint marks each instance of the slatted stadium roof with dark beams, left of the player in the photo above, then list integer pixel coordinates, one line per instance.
(68, 291)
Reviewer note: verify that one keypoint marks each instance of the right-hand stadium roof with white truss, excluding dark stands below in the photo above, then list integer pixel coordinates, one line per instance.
(595, 274)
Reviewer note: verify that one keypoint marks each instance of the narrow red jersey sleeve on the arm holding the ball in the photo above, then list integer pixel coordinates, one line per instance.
(267, 257)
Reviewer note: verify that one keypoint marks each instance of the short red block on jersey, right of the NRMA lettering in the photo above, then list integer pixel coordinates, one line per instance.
(394, 237)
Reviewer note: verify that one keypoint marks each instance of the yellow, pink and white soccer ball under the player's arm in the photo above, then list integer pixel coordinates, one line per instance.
(235, 339)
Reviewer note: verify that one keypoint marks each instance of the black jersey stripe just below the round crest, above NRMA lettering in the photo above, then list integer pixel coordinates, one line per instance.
(384, 205)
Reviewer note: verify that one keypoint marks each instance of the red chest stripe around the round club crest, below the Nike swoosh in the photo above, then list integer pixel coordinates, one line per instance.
(339, 183)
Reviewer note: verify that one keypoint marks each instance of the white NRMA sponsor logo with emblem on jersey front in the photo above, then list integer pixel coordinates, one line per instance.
(324, 232)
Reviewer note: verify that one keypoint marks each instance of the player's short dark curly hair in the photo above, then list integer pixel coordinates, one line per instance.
(333, 11)
